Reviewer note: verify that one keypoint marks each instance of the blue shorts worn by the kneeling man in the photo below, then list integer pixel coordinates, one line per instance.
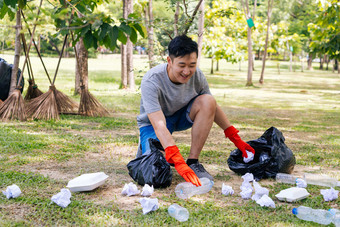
(179, 121)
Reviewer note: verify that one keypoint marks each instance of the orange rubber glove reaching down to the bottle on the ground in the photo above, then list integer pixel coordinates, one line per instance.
(172, 155)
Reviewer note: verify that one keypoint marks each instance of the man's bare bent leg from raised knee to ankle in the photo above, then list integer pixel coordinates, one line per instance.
(202, 113)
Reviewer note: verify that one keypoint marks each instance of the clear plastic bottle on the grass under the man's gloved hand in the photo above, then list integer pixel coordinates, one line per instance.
(186, 189)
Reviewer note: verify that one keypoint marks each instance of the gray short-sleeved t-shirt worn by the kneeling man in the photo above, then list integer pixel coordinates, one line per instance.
(159, 93)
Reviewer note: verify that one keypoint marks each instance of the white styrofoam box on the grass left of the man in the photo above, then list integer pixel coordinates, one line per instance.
(87, 182)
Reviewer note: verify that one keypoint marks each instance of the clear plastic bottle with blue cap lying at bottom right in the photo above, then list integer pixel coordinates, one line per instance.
(319, 216)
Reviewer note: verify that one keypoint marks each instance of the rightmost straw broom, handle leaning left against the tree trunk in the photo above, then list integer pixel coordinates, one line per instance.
(89, 105)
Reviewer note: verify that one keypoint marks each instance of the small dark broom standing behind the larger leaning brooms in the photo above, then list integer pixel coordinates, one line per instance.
(32, 90)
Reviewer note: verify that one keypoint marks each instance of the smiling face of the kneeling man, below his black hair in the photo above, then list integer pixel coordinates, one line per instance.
(181, 69)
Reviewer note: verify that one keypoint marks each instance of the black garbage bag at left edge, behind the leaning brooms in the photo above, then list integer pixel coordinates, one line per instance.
(5, 79)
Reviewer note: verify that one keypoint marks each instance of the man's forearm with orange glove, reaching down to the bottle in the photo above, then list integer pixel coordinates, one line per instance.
(172, 154)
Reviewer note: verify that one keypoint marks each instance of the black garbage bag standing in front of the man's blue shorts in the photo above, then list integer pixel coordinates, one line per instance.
(151, 169)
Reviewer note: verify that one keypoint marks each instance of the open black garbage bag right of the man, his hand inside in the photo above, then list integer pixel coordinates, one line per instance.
(272, 156)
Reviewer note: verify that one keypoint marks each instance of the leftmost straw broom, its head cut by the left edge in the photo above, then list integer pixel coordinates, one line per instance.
(14, 106)
